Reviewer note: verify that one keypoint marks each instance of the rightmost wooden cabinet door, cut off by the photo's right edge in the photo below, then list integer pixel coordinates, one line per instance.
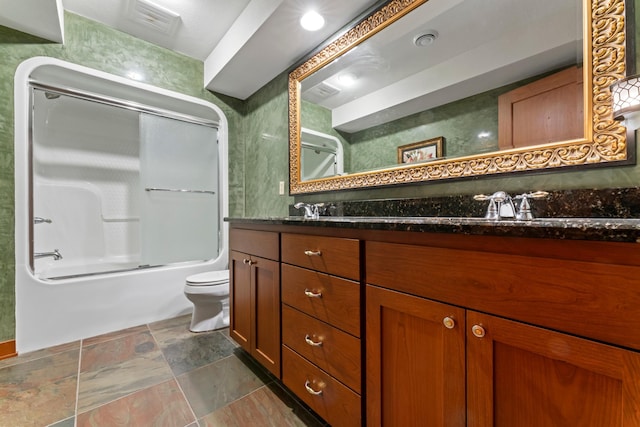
(525, 376)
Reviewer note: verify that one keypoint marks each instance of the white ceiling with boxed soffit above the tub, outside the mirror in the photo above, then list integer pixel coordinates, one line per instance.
(243, 43)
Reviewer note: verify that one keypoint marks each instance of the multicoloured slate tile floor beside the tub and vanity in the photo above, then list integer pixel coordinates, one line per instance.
(158, 374)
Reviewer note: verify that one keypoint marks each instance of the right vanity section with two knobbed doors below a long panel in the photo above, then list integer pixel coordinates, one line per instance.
(440, 351)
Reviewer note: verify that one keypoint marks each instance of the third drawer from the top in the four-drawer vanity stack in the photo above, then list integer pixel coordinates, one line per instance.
(338, 354)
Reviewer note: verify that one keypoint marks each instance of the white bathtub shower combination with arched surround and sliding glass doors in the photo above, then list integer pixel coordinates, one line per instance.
(121, 190)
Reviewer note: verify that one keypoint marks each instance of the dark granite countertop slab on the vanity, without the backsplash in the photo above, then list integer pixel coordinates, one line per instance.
(603, 229)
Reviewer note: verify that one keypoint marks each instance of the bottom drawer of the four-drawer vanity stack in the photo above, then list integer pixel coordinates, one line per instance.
(336, 403)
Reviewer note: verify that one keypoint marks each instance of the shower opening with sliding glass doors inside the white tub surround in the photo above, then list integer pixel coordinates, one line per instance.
(116, 187)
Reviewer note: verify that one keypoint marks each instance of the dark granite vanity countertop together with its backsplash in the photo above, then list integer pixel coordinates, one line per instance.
(585, 214)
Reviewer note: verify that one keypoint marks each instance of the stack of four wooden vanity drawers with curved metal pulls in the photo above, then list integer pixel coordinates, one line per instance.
(321, 346)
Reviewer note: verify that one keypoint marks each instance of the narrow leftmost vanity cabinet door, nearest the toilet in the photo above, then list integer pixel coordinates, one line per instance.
(240, 299)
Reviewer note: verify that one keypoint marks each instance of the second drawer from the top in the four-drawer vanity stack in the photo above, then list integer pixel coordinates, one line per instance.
(328, 298)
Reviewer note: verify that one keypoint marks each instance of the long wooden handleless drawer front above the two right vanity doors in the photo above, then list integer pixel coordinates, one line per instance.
(562, 294)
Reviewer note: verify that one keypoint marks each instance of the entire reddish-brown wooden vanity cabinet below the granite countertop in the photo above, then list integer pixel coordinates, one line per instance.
(459, 330)
